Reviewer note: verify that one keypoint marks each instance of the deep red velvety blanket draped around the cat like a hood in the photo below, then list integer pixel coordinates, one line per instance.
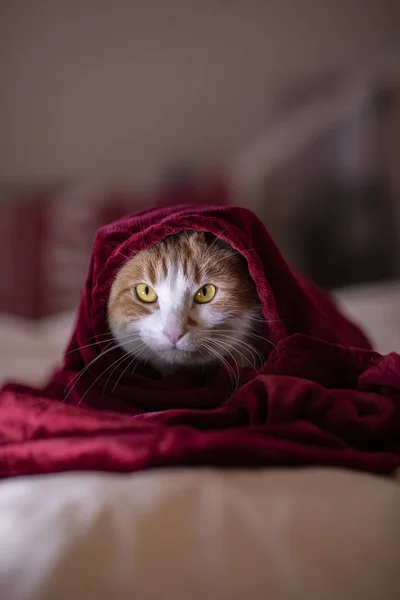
(322, 397)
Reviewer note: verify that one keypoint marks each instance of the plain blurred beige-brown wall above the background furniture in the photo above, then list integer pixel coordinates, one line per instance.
(115, 89)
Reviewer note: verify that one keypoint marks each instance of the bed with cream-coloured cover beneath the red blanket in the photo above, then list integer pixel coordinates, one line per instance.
(191, 534)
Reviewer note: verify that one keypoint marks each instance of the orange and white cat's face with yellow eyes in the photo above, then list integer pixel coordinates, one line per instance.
(185, 301)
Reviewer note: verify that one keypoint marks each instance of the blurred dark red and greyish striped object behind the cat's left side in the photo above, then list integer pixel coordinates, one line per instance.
(46, 238)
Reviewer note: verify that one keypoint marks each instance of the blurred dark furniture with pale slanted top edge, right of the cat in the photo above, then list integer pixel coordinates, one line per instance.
(323, 175)
